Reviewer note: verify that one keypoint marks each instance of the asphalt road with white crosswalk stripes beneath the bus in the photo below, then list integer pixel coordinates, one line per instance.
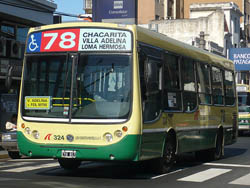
(233, 171)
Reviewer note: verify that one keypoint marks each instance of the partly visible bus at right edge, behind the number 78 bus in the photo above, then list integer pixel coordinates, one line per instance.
(243, 91)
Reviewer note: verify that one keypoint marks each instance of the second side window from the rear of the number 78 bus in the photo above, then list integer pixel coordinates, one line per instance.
(217, 86)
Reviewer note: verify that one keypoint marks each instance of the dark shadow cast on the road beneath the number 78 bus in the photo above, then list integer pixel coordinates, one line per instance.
(132, 170)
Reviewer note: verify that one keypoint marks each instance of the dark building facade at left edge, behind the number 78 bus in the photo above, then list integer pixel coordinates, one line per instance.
(16, 17)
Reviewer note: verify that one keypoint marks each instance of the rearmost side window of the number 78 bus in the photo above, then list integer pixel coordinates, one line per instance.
(229, 88)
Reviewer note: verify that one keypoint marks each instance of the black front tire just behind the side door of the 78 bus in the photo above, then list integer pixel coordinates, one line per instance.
(164, 164)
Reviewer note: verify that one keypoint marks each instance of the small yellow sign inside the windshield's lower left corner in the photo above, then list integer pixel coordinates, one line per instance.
(37, 103)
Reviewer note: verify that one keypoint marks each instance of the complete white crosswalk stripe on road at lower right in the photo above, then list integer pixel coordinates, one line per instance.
(205, 175)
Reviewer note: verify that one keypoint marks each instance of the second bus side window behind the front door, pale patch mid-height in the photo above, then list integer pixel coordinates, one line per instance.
(189, 84)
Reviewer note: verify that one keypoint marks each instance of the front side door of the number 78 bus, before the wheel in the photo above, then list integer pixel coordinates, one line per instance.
(151, 97)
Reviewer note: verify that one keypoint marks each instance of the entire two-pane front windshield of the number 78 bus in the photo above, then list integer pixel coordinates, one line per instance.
(95, 86)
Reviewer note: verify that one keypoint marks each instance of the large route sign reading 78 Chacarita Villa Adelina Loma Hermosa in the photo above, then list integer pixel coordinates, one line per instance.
(87, 39)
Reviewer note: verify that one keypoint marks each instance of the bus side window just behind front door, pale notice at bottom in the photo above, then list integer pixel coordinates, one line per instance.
(172, 99)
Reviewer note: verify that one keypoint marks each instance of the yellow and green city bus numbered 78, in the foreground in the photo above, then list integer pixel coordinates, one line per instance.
(115, 92)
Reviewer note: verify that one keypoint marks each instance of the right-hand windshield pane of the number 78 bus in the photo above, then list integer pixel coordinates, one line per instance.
(102, 87)
